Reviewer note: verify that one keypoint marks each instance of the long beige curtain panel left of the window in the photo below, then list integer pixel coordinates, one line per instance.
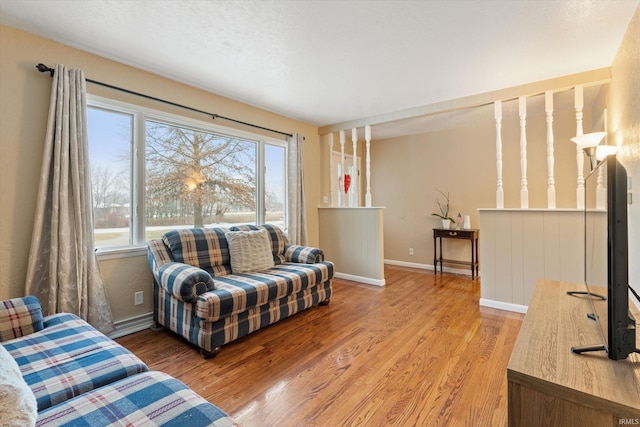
(62, 269)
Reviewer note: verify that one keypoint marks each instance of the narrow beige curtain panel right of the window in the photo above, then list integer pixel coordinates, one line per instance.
(297, 215)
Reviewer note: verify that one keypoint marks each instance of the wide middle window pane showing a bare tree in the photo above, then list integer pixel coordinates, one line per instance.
(196, 178)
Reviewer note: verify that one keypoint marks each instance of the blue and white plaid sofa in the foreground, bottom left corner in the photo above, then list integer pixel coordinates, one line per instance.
(80, 377)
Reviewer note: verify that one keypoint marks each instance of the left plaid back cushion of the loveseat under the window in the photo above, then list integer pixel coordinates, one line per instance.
(204, 248)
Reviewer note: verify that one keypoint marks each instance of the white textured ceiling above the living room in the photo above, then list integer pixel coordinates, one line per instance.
(327, 62)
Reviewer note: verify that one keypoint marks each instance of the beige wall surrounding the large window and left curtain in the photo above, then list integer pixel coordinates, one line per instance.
(24, 101)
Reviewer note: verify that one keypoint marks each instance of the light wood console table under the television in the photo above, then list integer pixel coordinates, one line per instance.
(551, 386)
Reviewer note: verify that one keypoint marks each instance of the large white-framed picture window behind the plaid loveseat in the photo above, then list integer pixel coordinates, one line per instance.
(153, 172)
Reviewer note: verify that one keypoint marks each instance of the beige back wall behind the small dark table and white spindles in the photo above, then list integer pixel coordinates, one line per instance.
(462, 161)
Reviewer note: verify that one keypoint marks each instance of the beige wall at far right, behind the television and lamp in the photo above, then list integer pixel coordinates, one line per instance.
(624, 125)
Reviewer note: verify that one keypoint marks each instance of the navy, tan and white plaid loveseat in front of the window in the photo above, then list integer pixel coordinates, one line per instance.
(198, 296)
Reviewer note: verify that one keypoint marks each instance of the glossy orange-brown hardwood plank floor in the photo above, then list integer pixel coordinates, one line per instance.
(417, 352)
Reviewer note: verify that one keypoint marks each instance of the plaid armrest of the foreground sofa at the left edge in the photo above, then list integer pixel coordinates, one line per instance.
(20, 317)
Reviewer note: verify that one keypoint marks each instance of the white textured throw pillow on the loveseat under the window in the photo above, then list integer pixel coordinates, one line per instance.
(249, 250)
